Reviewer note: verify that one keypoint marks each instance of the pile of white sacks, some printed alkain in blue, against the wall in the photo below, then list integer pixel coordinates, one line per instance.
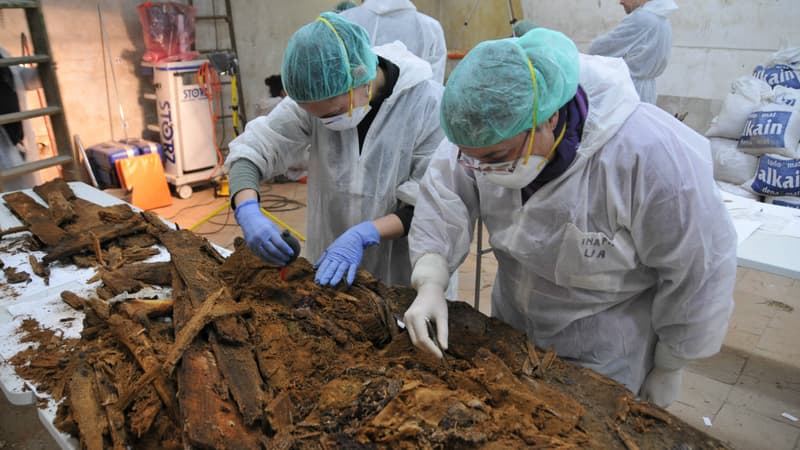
(754, 139)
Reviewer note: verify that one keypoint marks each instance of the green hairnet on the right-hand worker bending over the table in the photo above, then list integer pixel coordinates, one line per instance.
(489, 97)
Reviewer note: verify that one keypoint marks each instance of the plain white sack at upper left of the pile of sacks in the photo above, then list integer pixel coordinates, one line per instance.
(747, 93)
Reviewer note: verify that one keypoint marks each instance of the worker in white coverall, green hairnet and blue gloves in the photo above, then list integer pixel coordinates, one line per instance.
(369, 119)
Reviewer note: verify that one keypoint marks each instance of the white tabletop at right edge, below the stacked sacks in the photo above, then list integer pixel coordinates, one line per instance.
(774, 246)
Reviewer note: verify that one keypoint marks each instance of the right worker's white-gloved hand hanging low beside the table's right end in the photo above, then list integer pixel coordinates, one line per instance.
(663, 383)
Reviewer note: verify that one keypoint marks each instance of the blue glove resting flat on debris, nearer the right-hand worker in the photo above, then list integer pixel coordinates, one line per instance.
(345, 254)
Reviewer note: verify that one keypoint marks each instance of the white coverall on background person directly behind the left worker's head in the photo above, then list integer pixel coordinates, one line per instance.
(398, 20)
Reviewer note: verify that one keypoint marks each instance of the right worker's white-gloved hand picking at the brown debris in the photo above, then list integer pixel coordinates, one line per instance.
(430, 278)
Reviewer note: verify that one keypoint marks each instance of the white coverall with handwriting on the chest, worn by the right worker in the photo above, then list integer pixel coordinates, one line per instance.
(631, 244)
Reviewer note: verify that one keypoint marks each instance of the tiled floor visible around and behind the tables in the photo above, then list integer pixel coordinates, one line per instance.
(743, 391)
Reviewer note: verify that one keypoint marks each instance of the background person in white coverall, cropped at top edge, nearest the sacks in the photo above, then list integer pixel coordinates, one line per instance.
(643, 39)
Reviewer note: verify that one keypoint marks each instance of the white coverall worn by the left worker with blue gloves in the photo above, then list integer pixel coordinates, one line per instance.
(345, 188)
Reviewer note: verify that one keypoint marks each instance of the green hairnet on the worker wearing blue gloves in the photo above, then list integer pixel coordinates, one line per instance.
(321, 63)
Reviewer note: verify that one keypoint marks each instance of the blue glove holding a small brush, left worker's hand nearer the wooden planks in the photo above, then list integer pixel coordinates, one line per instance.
(262, 236)
